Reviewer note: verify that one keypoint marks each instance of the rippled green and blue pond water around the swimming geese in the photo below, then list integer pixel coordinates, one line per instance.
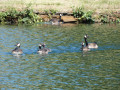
(66, 67)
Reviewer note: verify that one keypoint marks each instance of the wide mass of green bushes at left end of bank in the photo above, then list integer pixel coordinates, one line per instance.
(13, 16)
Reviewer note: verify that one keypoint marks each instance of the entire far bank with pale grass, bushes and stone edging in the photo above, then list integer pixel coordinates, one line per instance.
(84, 11)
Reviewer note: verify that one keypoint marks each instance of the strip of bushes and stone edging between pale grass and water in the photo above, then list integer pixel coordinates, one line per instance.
(13, 17)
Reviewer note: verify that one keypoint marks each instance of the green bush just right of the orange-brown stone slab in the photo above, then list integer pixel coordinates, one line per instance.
(84, 17)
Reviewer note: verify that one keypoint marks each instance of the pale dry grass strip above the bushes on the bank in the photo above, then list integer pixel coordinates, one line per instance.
(62, 5)
